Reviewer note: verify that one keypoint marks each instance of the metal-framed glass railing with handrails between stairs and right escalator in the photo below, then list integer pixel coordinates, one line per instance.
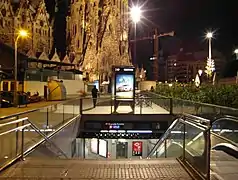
(176, 143)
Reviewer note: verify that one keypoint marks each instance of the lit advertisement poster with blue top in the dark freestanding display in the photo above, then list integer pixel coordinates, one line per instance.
(124, 86)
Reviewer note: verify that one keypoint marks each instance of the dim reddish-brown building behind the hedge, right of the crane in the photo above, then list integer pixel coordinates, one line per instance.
(184, 66)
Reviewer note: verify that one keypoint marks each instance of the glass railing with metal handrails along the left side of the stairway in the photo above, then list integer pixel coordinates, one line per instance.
(33, 127)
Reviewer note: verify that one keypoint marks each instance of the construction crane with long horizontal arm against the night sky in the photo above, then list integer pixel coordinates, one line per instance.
(155, 37)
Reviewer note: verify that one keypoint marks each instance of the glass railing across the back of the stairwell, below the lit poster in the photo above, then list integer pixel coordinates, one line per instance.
(137, 105)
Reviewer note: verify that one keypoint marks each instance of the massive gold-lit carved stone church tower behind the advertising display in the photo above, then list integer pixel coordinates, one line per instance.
(97, 35)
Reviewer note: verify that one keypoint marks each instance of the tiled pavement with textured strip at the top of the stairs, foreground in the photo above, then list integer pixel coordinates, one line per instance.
(160, 169)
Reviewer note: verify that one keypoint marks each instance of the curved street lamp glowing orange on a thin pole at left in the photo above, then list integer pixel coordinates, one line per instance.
(21, 34)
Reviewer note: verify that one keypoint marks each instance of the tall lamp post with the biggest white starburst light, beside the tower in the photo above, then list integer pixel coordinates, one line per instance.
(135, 16)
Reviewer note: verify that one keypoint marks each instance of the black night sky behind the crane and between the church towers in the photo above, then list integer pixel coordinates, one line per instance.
(188, 18)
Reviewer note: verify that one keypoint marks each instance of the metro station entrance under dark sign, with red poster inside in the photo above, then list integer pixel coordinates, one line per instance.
(120, 136)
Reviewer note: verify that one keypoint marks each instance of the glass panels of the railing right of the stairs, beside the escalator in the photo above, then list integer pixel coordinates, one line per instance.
(188, 142)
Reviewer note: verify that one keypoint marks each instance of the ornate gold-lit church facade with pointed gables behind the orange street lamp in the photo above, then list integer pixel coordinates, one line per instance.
(28, 15)
